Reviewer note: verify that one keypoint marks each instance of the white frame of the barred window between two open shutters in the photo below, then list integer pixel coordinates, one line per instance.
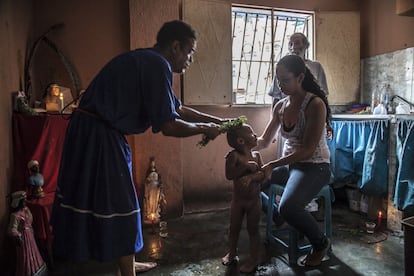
(275, 14)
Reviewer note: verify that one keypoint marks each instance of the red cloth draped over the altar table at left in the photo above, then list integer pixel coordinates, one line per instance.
(39, 138)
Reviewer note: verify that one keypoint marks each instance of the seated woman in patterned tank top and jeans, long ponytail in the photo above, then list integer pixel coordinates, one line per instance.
(304, 166)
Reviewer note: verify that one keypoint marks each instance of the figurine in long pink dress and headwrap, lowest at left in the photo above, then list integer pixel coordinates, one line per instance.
(28, 261)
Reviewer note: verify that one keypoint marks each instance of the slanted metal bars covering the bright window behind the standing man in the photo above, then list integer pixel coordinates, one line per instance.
(260, 38)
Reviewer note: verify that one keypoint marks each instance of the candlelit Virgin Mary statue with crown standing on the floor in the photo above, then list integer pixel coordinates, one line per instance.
(153, 195)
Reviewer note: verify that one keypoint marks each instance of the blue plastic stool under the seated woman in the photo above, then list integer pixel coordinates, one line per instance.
(278, 235)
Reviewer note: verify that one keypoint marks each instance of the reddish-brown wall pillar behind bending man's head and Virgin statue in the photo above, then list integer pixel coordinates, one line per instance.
(167, 151)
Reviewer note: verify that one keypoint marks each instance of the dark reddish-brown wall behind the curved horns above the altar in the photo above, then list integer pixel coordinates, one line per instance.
(90, 35)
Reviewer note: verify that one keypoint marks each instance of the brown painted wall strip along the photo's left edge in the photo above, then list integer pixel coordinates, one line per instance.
(15, 29)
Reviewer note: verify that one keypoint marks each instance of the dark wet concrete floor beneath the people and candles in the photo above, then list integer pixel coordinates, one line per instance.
(196, 243)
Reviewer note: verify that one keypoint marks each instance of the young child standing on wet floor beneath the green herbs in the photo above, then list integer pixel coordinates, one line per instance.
(243, 166)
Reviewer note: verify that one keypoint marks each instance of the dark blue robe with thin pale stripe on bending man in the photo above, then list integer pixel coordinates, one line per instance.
(96, 214)
